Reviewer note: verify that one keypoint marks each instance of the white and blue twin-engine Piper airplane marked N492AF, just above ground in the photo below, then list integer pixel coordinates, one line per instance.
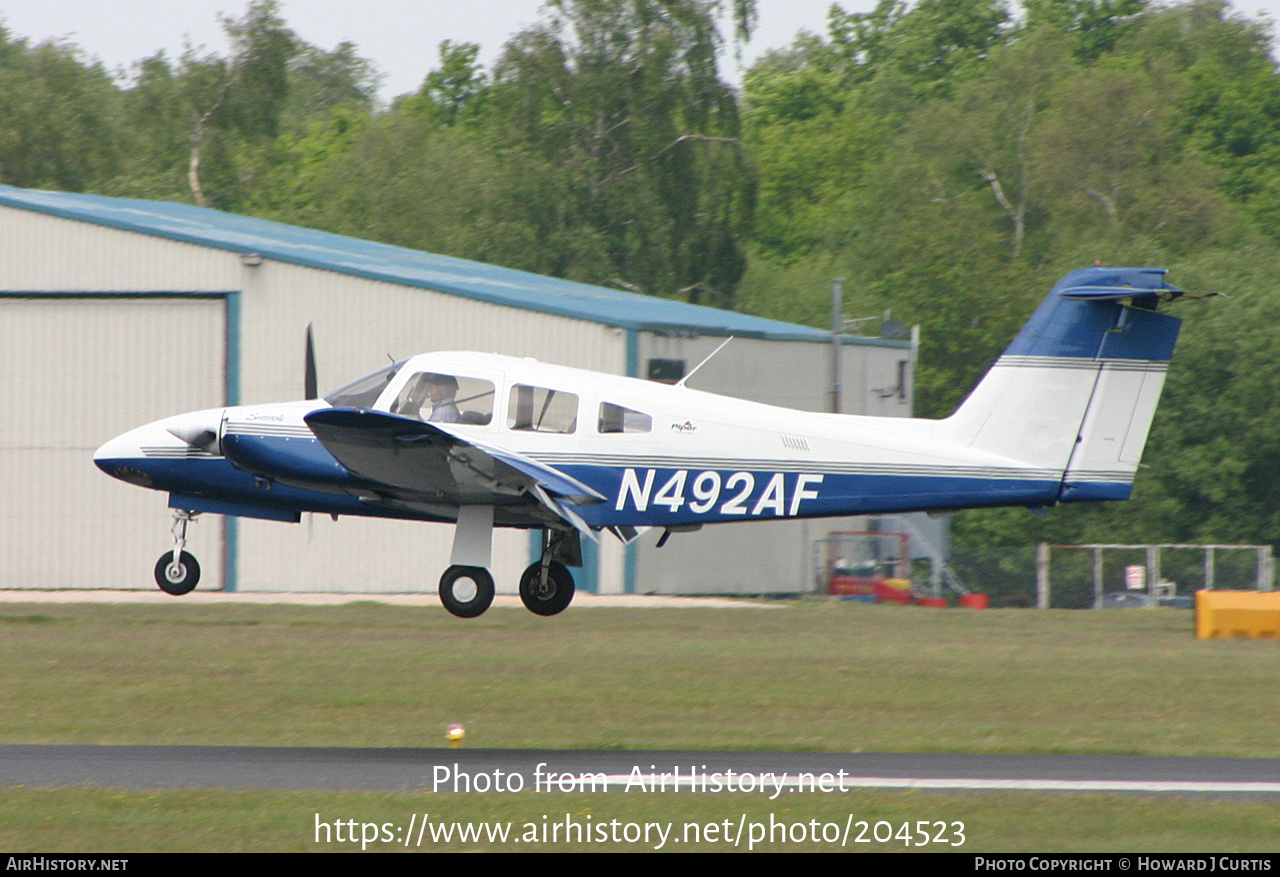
(488, 441)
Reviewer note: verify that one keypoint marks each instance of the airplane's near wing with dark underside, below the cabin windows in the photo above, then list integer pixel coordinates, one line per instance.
(409, 460)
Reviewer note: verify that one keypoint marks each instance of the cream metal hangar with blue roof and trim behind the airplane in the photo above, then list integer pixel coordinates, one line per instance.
(117, 313)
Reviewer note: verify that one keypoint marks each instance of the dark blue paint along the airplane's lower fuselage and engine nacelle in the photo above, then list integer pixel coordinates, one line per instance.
(299, 474)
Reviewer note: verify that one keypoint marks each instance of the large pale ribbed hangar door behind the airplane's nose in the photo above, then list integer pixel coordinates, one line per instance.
(75, 372)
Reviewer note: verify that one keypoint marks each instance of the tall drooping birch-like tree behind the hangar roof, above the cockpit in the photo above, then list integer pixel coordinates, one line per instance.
(621, 104)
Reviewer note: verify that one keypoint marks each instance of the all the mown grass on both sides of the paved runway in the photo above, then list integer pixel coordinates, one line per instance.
(808, 675)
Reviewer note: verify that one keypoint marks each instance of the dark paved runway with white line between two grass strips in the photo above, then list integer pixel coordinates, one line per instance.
(481, 770)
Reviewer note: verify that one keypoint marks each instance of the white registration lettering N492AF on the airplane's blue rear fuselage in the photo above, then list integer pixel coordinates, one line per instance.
(728, 495)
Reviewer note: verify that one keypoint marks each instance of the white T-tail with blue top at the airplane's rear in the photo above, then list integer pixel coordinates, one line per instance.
(1077, 390)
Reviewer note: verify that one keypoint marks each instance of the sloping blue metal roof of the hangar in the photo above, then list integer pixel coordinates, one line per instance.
(414, 268)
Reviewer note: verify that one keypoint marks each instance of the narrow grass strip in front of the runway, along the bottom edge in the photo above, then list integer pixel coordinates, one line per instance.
(81, 820)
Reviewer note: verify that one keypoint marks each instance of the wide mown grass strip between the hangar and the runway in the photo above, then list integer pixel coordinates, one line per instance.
(813, 677)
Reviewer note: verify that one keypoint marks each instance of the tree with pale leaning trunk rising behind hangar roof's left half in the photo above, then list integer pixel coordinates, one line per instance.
(227, 131)
